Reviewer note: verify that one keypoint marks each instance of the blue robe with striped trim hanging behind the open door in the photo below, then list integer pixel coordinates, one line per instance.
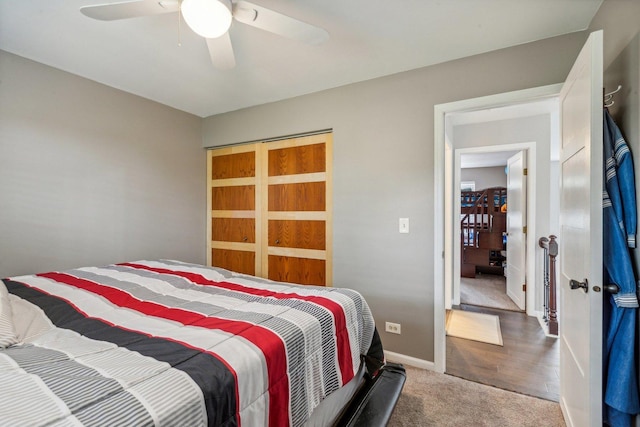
(619, 230)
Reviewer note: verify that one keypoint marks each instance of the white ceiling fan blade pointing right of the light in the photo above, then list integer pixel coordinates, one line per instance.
(277, 23)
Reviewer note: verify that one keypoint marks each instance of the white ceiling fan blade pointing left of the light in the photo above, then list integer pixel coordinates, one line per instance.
(129, 9)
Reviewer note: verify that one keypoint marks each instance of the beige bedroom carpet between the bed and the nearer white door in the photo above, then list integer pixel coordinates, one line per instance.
(432, 399)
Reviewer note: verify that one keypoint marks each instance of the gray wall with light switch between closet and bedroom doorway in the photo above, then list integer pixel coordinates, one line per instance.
(383, 168)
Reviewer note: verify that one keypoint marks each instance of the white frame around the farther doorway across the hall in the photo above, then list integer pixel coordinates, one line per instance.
(530, 147)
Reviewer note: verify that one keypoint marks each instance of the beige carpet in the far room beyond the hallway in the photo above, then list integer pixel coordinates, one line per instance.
(486, 290)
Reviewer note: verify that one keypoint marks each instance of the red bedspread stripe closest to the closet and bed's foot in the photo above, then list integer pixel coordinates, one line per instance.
(342, 334)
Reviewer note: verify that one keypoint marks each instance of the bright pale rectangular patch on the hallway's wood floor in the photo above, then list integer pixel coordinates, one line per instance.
(474, 326)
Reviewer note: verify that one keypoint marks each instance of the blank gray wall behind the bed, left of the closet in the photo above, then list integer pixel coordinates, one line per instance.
(91, 175)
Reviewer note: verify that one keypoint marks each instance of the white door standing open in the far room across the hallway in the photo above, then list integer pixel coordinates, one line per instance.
(516, 221)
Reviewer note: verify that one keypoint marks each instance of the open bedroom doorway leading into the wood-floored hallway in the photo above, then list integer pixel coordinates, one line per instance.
(526, 130)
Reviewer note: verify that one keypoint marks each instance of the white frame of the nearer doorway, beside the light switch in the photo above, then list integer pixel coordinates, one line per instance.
(443, 260)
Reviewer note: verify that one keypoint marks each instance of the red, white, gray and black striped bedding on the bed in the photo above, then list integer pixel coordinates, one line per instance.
(170, 343)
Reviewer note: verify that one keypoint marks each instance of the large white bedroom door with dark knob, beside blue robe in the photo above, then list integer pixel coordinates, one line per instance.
(580, 242)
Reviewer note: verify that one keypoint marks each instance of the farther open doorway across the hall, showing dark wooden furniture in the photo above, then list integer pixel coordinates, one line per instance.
(492, 265)
